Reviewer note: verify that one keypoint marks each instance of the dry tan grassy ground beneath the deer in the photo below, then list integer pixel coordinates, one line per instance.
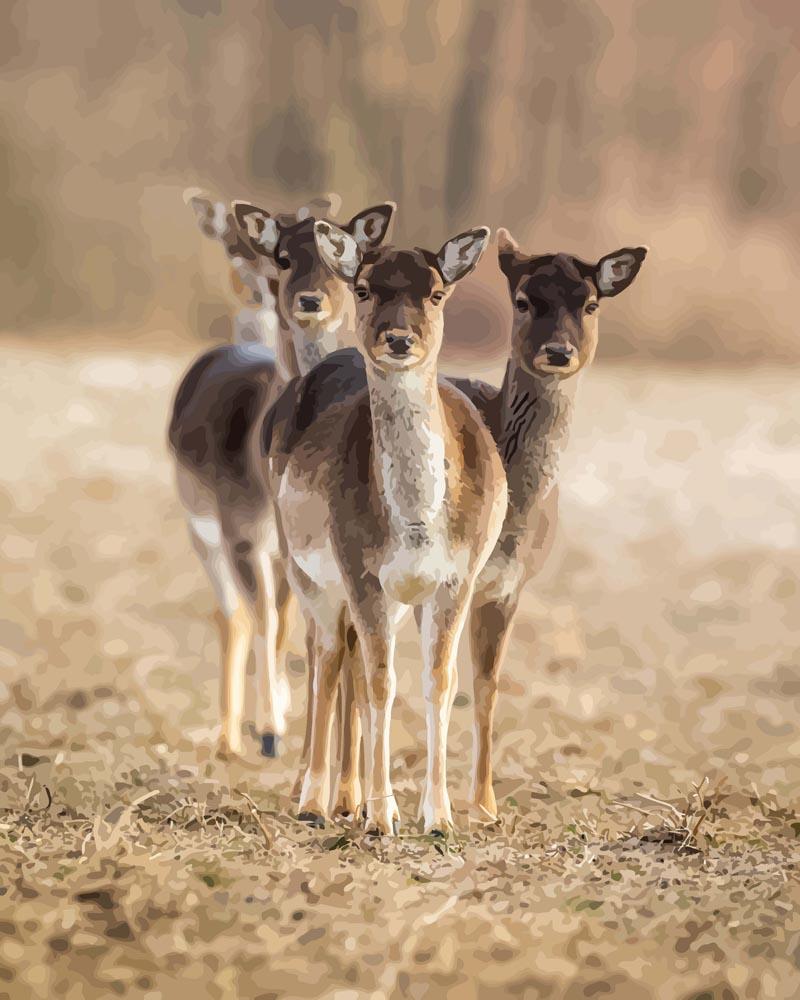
(647, 751)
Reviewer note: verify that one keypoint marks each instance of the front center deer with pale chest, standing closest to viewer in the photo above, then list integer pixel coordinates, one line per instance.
(389, 497)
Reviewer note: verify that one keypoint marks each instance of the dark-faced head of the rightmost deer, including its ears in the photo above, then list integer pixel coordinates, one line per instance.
(556, 301)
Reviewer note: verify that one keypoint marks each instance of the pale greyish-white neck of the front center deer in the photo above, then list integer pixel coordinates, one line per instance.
(409, 444)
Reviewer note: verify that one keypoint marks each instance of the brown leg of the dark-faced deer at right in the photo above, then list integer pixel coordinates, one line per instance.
(490, 628)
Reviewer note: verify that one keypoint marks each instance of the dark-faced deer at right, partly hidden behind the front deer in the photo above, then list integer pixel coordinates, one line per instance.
(556, 299)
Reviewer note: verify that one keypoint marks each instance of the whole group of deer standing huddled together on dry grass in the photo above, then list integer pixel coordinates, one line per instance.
(364, 484)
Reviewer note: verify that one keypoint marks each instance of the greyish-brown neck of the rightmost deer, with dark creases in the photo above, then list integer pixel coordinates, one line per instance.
(536, 414)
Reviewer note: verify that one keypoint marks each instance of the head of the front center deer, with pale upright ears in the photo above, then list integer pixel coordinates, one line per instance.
(399, 293)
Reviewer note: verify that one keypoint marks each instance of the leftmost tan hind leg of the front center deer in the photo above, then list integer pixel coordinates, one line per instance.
(315, 795)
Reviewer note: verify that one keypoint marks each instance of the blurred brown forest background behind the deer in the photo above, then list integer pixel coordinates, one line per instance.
(581, 126)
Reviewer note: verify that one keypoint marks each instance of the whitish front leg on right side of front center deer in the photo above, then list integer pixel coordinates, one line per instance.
(442, 621)
